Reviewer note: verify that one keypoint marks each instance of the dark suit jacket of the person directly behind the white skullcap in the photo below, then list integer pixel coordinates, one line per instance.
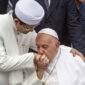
(63, 18)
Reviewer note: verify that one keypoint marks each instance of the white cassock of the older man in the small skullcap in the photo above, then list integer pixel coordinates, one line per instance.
(63, 70)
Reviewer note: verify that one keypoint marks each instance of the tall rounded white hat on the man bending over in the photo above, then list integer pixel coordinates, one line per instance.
(29, 11)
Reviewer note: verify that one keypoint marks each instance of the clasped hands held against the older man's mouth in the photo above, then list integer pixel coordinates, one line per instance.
(41, 63)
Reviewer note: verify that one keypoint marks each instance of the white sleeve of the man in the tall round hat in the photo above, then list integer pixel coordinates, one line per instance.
(9, 63)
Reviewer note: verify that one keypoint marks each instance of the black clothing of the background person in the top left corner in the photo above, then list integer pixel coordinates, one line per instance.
(3, 6)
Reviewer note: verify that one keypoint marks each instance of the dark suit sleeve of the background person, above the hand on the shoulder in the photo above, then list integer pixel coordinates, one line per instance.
(74, 26)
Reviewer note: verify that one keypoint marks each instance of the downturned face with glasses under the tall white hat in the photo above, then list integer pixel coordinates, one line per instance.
(24, 28)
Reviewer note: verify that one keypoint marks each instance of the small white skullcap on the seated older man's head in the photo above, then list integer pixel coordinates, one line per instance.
(49, 31)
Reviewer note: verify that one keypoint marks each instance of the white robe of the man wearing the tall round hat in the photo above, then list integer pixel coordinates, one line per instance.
(14, 51)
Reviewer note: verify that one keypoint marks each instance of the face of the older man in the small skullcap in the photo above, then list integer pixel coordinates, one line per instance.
(47, 45)
